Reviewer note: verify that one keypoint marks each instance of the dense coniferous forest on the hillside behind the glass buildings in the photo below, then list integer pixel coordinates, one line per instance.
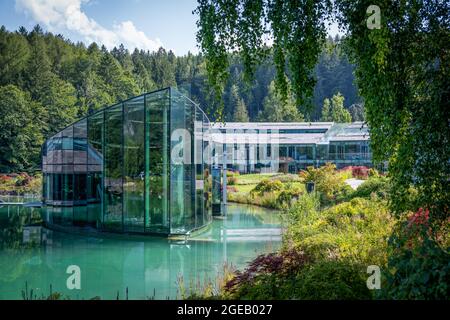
(47, 82)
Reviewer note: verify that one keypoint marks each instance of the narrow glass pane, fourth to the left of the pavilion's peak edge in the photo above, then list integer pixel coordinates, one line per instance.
(95, 168)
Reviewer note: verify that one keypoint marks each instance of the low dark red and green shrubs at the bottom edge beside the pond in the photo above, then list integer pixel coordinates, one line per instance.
(294, 275)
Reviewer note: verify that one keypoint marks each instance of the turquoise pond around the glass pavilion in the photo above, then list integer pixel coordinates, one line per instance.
(34, 257)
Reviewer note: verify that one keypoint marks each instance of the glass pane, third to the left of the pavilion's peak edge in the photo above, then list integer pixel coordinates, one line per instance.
(112, 219)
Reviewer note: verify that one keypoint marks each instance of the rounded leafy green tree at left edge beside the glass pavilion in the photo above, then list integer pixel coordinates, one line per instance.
(20, 130)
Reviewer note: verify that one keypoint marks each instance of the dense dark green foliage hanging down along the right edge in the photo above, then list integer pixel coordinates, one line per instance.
(403, 76)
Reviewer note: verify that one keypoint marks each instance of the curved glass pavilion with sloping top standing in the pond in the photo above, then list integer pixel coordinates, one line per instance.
(134, 167)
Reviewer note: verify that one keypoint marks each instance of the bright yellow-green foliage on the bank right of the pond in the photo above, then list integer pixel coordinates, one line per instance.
(357, 230)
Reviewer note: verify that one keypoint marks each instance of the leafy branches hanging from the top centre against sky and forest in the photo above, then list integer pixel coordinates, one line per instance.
(296, 29)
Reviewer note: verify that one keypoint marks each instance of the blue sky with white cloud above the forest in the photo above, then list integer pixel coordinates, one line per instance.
(146, 24)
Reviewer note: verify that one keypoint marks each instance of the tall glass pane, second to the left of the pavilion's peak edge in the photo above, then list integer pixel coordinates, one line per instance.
(134, 165)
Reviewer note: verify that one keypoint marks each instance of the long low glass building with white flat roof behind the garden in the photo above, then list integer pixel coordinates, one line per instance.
(253, 147)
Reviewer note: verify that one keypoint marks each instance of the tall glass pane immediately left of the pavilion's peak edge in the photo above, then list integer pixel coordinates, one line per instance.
(157, 106)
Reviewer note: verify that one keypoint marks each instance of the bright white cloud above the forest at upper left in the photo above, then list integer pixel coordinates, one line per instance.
(60, 15)
